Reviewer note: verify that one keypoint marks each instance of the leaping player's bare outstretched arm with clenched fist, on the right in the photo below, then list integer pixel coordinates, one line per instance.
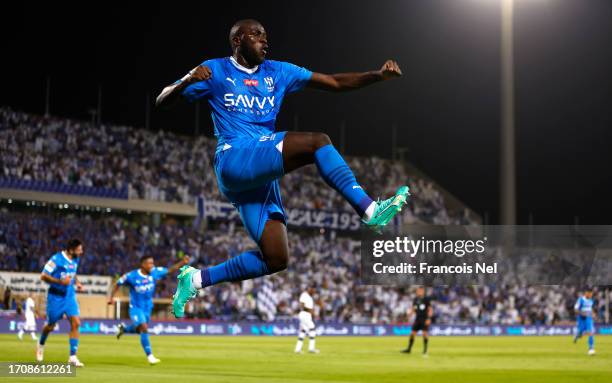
(341, 82)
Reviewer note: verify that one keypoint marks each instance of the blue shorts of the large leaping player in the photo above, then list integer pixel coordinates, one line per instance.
(248, 175)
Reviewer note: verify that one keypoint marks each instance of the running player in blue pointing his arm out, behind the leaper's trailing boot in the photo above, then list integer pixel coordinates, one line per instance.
(142, 283)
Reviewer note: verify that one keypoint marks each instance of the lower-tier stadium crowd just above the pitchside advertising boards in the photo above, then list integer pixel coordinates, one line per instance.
(113, 245)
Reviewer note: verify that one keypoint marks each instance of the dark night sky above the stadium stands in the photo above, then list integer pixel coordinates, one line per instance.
(446, 105)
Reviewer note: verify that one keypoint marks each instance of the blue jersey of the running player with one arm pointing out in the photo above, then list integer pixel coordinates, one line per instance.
(142, 286)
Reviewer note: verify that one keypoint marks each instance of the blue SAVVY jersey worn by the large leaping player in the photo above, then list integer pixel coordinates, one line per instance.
(245, 102)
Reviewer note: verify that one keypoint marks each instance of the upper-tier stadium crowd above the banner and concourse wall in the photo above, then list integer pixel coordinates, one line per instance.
(163, 166)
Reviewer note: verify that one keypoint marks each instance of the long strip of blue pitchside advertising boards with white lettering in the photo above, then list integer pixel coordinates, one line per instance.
(107, 327)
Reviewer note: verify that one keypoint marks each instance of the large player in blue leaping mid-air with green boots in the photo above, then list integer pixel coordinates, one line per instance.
(245, 92)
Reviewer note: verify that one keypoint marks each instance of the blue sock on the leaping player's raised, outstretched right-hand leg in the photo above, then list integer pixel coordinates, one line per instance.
(336, 173)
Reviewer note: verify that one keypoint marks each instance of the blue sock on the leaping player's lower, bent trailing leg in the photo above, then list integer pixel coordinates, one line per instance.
(247, 265)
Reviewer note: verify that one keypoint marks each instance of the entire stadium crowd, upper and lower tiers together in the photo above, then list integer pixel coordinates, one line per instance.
(162, 166)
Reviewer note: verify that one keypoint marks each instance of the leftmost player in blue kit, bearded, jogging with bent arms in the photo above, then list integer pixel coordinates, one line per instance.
(60, 273)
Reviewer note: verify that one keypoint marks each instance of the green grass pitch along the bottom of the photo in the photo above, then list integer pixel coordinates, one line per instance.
(342, 359)
